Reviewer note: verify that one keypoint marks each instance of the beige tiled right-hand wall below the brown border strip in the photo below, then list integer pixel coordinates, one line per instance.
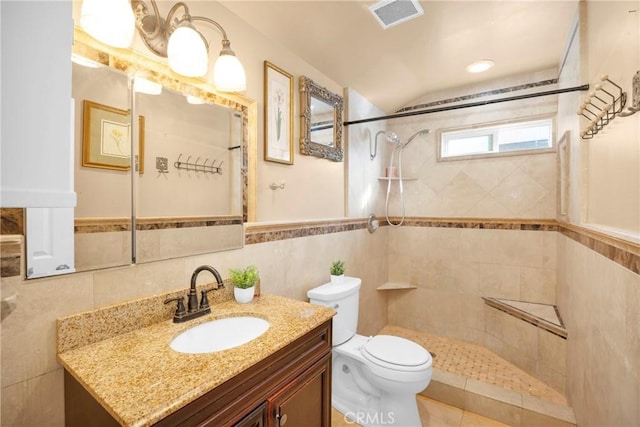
(600, 304)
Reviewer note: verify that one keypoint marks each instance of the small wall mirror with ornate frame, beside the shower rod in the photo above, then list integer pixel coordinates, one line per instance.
(321, 121)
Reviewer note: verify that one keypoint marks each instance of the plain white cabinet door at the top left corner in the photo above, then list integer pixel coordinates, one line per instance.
(36, 141)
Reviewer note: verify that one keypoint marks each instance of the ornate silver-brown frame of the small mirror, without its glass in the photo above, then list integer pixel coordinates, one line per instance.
(310, 89)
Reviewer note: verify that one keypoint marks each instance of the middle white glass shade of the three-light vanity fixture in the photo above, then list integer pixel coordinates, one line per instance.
(187, 52)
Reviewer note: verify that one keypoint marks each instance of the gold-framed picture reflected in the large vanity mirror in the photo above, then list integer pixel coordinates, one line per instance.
(106, 132)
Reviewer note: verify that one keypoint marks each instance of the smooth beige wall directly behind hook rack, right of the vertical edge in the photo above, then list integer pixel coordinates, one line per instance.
(613, 186)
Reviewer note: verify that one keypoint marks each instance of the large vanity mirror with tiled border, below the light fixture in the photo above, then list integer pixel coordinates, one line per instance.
(188, 191)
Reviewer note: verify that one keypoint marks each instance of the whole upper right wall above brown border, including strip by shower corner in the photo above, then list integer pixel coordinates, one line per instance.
(604, 172)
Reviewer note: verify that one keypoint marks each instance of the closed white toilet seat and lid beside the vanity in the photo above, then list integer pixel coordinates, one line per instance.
(396, 353)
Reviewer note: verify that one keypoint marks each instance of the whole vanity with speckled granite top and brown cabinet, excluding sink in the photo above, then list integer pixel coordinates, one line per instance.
(135, 379)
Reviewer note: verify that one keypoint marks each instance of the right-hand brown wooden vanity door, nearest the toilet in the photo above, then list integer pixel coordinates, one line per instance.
(306, 401)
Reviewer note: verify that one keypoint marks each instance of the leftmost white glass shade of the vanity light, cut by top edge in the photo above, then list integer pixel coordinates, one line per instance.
(110, 21)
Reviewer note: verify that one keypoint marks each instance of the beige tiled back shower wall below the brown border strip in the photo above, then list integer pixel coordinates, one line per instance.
(454, 267)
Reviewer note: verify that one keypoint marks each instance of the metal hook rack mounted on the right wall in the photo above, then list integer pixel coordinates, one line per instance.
(603, 105)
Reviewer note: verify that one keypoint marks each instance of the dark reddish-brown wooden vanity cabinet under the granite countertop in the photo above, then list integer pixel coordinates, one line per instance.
(289, 388)
